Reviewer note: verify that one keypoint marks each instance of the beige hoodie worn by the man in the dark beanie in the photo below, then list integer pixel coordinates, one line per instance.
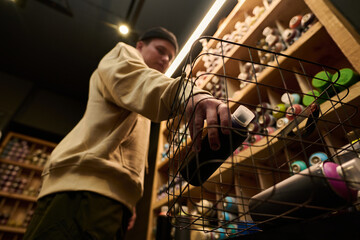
(107, 150)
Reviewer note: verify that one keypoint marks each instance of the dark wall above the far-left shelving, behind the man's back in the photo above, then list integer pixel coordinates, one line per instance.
(29, 109)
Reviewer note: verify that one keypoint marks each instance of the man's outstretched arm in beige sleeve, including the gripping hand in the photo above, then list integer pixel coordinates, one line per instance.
(130, 84)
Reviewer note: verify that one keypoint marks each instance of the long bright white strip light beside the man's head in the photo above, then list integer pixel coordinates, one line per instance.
(196, 34)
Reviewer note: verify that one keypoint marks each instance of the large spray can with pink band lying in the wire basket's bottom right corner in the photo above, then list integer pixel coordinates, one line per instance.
(315, 191)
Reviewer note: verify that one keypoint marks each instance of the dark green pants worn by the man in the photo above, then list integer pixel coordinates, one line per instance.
(78, 215)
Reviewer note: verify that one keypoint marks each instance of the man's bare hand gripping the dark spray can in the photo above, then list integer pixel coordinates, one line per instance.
(205, 107)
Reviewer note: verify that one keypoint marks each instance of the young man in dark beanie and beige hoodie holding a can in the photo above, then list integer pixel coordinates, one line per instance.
(95, 175)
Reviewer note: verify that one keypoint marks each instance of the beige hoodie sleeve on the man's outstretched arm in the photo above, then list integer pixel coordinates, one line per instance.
(129, 83)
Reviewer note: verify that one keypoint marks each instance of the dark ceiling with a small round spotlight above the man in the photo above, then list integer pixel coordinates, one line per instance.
(57, 44)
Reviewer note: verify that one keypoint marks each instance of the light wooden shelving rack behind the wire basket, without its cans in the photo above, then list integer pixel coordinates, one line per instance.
(331, 41)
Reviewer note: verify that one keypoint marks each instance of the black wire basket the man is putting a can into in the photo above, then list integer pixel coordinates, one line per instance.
(293, 163)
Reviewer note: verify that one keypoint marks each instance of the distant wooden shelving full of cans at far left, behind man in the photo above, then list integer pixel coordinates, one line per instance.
(22, 159)
